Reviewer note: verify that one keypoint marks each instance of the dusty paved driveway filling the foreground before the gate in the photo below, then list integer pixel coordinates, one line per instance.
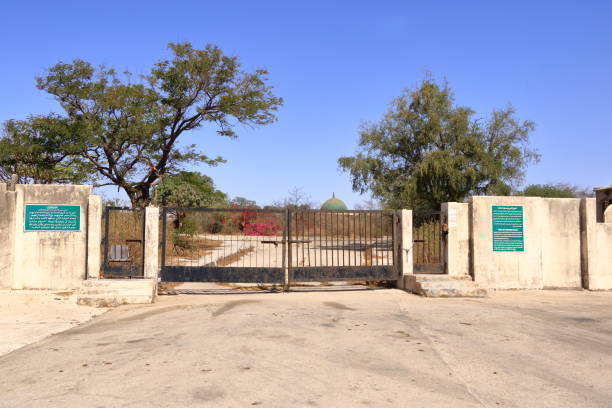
(373, 348)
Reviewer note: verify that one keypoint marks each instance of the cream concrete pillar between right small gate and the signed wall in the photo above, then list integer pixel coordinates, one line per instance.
(456, 246)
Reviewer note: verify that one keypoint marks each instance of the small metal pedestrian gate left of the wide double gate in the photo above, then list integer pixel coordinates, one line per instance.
(123, 242)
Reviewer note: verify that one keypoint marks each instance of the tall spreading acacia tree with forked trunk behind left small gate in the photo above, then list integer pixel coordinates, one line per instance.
(130, 130)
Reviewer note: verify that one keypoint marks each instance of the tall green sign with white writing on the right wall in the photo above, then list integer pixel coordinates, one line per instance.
(508, 228)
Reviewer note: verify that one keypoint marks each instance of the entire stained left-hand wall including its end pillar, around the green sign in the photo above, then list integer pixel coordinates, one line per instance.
(47, 259)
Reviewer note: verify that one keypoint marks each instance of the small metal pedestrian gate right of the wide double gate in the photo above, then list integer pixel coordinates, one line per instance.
(427, 234)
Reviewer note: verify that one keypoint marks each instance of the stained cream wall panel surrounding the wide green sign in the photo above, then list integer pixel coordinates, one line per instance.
(50, 259)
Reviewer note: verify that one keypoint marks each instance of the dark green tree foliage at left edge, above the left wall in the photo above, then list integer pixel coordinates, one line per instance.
(41, 150)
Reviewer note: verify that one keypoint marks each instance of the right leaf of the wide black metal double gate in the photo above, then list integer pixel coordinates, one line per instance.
(343, 245)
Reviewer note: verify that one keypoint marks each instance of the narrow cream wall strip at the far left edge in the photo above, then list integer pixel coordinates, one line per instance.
(7, 226)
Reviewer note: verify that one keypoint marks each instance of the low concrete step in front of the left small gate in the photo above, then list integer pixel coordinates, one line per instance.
(114, 292)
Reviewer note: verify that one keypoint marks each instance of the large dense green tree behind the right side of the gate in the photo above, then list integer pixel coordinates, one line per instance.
(426, 150)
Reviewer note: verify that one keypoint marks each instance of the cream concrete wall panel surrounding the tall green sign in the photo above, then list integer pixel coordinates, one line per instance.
(552, 254)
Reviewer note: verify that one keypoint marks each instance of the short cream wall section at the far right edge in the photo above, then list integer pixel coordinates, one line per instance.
(597, 249)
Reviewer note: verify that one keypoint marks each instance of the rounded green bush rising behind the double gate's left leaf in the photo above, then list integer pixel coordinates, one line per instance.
(188, 189)
